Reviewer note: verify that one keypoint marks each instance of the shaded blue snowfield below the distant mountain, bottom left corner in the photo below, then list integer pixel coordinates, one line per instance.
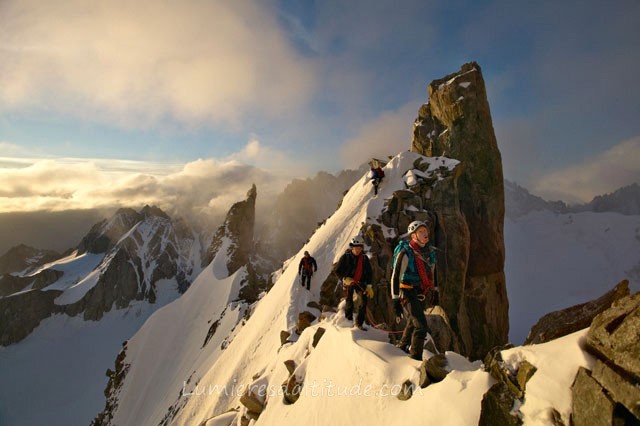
(56, 376)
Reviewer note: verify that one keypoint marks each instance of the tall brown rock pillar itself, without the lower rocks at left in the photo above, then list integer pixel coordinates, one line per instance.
(457, 121)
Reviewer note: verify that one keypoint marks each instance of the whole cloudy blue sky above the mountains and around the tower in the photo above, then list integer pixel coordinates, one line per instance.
(119, 103)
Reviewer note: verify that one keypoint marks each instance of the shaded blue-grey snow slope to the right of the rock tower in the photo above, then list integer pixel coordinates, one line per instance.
(554, 261)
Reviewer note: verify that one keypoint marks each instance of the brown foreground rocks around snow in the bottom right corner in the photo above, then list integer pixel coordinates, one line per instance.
(608, 394)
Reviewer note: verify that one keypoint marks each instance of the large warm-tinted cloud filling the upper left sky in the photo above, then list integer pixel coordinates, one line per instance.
(144, 62)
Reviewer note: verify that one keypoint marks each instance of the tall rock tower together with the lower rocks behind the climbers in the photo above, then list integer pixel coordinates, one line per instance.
(462, 200)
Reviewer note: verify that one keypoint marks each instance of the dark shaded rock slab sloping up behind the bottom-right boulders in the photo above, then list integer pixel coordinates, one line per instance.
(567, 321)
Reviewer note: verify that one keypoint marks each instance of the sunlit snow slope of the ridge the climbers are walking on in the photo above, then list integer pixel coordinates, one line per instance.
(350, 377)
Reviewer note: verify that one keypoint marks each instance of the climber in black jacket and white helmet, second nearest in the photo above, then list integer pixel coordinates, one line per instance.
(354, 269)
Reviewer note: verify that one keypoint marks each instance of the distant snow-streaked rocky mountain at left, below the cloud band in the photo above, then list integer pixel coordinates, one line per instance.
(121, 260)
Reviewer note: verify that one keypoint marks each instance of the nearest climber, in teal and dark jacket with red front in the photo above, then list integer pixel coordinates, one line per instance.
(411, 283)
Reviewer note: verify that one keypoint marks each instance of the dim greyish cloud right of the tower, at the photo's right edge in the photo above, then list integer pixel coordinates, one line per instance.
(614, 168)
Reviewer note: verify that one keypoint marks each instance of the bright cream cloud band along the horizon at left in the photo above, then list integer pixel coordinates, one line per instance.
(204, 188)
